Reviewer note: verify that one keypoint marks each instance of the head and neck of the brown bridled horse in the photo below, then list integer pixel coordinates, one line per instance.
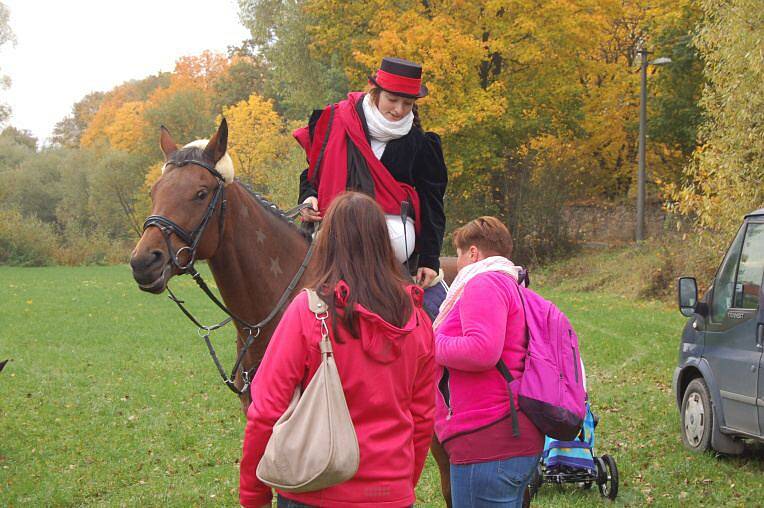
(252, 250)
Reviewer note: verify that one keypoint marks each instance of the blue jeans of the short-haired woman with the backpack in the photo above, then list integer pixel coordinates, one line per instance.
(500, 483)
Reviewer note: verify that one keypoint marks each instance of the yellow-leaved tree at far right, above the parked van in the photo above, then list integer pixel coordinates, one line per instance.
(724, 179)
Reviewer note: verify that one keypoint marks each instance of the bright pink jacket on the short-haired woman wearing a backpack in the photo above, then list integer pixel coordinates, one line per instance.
(487, 323)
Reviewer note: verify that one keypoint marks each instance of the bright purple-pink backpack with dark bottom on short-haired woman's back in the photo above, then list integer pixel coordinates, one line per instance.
(551, 391)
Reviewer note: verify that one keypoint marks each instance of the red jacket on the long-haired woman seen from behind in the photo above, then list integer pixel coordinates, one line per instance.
(388, 377)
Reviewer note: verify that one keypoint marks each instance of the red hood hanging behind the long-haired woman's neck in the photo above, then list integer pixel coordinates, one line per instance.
(382, 340)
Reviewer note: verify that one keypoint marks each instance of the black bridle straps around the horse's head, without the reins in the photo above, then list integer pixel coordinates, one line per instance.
(168, 227)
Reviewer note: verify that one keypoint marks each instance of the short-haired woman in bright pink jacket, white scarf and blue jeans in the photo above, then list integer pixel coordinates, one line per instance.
(482, 321)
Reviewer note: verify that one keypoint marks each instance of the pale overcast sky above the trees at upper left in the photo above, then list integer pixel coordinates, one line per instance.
(68, 48)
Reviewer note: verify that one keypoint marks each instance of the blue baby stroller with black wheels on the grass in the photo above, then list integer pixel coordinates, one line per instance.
(575, 462)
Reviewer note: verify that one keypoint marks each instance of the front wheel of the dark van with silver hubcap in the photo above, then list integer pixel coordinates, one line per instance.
(697, 416)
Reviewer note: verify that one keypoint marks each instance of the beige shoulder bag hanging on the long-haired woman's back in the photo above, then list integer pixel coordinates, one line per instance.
(313, 445)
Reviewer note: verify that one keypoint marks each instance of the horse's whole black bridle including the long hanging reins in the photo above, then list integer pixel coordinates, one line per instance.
(168, 227)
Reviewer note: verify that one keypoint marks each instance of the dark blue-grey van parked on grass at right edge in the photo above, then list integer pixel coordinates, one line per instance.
(719, 383)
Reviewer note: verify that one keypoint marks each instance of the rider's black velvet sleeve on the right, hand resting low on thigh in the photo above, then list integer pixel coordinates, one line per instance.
(430, 179)
